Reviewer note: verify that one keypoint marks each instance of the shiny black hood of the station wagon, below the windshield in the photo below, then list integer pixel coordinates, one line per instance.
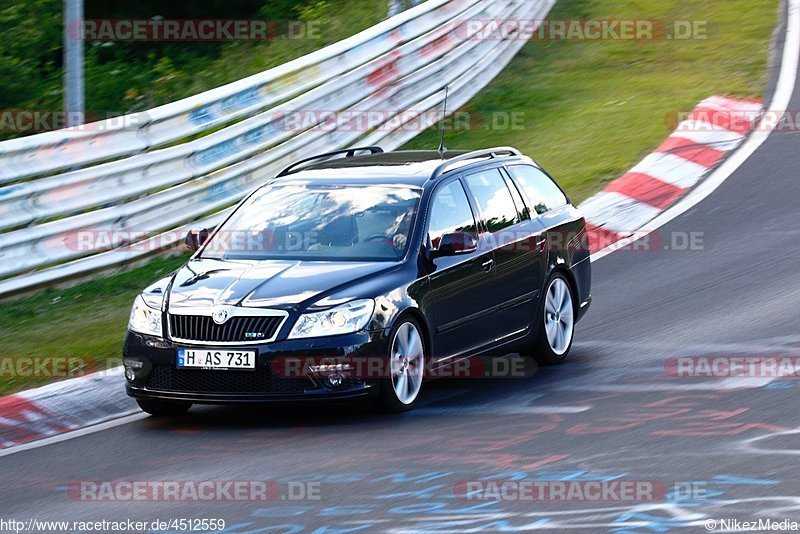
(265, 283)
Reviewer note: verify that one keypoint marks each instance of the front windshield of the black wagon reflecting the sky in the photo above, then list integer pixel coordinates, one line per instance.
(337, 223)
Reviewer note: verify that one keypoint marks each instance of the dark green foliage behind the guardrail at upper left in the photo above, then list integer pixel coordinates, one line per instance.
(122, 77)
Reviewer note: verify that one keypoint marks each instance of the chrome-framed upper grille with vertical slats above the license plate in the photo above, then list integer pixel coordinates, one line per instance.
(203, 328)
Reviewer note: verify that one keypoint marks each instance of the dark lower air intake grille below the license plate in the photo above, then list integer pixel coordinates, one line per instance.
(167, 378)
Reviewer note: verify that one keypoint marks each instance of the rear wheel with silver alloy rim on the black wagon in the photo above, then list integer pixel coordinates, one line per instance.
(555, 330)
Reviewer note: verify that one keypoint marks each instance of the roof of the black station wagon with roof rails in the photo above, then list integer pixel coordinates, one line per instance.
(402, 167)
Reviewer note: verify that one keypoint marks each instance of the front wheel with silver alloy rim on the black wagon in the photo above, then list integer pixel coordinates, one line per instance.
(400, 391)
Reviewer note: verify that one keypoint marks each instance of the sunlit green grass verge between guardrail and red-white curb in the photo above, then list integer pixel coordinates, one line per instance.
(589, 110)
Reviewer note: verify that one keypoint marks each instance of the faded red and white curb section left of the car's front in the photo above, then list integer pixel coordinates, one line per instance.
(63, 407)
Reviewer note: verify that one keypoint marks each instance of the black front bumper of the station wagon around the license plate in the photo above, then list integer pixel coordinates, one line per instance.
(158, 377)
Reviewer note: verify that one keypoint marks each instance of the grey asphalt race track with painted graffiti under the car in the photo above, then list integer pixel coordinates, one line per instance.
(612, 412)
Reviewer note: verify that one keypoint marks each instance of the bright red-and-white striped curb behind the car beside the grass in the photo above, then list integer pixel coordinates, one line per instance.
(702, 139)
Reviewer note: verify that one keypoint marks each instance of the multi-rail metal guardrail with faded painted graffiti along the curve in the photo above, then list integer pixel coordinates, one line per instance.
(145, 197)
